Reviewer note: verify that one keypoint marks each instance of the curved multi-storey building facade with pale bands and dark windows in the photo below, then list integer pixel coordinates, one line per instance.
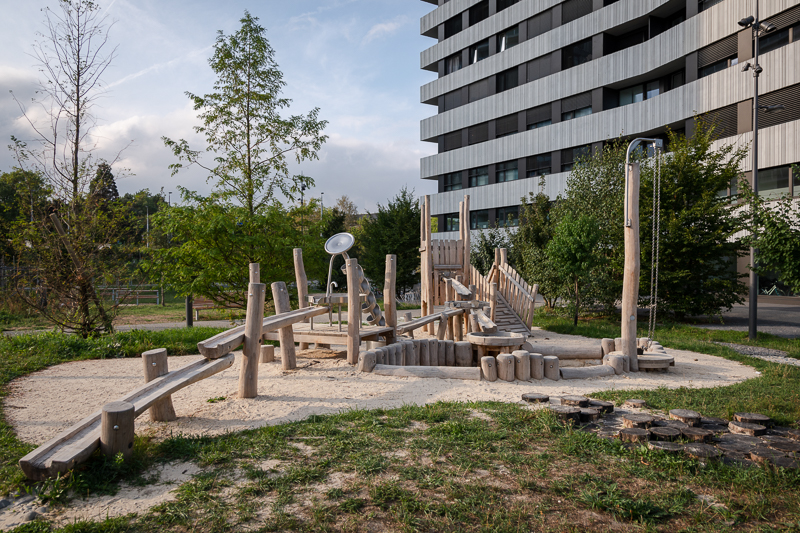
(525, 87)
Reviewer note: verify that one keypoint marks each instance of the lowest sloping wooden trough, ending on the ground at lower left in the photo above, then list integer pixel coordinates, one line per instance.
(76, 444)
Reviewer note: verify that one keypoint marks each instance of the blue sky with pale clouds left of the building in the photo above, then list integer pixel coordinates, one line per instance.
(356, 60)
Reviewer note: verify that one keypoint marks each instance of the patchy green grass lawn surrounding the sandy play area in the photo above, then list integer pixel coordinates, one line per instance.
(441, 467)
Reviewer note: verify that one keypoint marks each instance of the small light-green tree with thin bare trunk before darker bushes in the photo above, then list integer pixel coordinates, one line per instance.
(572, 251)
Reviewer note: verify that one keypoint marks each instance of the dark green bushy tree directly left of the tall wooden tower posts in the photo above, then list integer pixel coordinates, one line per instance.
(394, 229)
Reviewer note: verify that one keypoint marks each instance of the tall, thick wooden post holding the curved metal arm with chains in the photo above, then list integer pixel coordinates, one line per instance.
(630, 280)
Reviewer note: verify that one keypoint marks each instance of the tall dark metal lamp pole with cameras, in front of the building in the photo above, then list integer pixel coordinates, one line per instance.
(758, 29)
